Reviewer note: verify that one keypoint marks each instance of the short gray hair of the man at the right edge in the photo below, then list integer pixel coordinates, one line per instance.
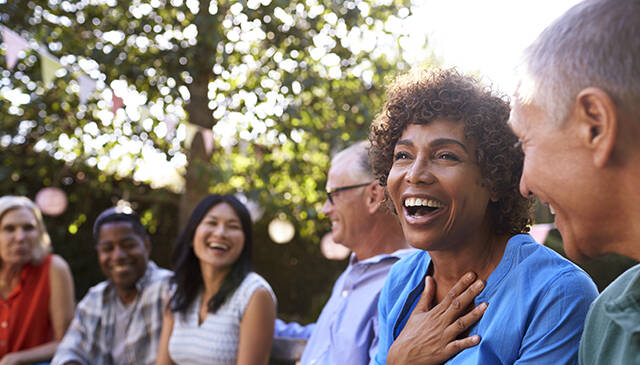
(595, 43)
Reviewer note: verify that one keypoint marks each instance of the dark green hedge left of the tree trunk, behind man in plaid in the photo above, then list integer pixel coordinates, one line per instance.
(89, 192)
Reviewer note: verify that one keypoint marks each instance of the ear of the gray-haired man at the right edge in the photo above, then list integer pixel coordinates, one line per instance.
(598, 123)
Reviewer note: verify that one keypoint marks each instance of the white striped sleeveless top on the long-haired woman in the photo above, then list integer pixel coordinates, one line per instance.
(215, 341)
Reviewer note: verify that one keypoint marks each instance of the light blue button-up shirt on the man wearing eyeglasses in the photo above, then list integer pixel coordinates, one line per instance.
(347, 330)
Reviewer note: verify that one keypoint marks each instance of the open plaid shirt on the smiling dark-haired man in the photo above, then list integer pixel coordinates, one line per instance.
(89, 339)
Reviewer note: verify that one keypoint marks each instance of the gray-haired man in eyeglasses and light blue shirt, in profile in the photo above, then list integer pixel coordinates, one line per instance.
(347, 330)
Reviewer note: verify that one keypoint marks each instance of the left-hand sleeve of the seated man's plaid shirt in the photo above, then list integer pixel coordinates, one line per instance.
(75, 345)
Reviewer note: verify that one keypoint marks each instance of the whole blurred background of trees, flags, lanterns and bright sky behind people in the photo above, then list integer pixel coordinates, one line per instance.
(154, 104)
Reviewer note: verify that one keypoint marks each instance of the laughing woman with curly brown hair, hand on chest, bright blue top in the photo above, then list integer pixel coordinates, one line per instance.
(480, 290)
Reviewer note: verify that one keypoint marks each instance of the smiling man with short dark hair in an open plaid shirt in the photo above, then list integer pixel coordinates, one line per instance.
(119, 320)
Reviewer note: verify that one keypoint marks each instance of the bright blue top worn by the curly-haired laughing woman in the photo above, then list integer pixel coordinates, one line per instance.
(538, 302)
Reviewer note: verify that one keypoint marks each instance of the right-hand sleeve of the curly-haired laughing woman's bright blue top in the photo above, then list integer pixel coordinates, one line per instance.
(556, 326)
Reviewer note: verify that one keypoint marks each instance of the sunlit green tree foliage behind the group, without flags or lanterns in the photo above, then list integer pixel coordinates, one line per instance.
(282, 83)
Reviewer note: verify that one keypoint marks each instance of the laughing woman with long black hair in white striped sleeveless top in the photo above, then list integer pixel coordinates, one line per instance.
(220, 312)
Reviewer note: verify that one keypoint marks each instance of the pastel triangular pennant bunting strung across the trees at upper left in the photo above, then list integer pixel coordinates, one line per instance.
(15, 44)
